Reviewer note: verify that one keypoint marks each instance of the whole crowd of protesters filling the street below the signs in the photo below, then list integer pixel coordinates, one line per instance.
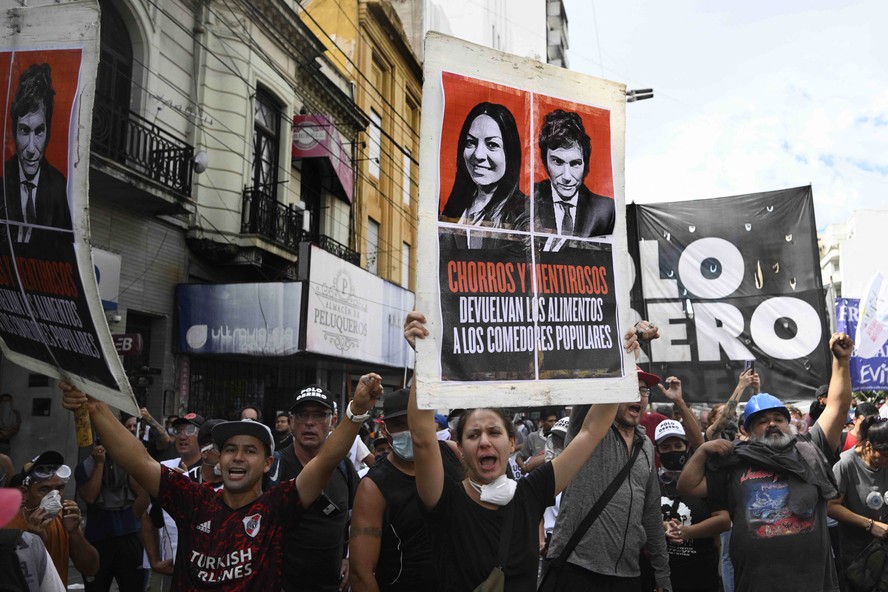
(628, 496)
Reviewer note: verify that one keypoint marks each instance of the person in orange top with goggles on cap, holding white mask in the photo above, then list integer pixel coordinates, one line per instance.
(53, 519)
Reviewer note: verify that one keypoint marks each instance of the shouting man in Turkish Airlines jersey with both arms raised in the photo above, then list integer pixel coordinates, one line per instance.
(232, 539)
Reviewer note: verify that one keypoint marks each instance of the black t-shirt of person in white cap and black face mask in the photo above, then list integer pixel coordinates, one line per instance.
(693, 565)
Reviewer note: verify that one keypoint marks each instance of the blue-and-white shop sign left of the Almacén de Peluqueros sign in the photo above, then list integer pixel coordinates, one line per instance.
(247, 319)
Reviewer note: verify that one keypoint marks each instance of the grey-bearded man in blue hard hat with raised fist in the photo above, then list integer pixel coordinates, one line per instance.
(775, 487)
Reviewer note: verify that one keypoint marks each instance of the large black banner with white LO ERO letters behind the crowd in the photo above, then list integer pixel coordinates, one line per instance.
(728, 280)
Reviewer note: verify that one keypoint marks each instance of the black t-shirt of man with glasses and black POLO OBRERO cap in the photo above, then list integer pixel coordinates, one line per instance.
(313, 550)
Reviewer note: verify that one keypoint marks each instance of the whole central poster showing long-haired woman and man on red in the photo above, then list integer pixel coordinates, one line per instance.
(520, 175)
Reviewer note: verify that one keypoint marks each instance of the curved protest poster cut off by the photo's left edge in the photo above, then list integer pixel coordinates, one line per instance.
(51, 318)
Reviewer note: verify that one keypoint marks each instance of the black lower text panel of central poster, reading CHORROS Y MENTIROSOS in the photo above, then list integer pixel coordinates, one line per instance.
(510, 314)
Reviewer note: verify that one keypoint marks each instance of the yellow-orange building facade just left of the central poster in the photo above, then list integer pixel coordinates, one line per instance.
(366, 41)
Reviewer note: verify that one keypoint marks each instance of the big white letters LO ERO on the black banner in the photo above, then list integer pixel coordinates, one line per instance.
(719, 324)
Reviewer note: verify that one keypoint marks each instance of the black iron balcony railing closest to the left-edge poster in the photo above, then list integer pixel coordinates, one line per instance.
(141, 146)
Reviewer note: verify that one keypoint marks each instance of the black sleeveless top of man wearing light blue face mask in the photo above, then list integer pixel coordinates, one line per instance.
(405, 554)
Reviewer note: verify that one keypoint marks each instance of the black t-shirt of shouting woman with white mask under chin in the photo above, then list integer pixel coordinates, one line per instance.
(466, 535)
